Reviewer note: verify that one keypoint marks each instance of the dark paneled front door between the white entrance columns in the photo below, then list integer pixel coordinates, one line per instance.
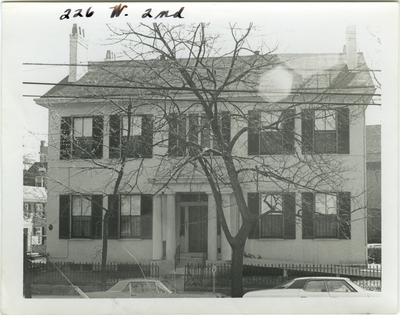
(198, 228)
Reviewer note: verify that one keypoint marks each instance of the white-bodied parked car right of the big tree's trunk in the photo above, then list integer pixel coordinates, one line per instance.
(315, 287)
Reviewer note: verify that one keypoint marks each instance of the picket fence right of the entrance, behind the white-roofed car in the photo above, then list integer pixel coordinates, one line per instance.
(199, 277)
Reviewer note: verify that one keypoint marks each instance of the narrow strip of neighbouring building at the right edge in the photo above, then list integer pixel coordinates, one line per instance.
(374, 175)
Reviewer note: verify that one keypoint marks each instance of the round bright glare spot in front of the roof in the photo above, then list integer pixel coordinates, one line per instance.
(275, 84)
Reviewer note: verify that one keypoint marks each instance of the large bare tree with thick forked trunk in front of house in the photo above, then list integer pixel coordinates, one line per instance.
(187, 70)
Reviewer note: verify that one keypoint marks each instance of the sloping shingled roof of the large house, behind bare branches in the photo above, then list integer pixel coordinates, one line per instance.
(310, 72)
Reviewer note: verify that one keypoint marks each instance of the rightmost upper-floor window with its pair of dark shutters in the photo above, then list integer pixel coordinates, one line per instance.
(325, 131)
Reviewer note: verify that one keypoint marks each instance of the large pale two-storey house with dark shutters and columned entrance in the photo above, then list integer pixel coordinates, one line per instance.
(153, 218)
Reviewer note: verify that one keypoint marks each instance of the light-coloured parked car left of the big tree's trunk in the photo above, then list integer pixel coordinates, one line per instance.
(148, 288)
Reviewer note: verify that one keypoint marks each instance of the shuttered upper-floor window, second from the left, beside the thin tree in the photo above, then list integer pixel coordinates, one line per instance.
(132, 137)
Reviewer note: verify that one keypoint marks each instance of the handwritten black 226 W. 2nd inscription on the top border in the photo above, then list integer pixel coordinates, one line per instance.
(117, 10)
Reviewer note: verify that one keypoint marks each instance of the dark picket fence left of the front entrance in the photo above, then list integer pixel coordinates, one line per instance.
(88, 273)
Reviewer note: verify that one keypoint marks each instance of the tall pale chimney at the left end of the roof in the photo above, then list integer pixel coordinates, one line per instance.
(78, 54)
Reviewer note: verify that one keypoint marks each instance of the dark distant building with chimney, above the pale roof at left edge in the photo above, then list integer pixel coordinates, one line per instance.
(37, 172)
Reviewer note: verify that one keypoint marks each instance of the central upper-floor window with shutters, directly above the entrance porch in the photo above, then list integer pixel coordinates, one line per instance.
(190, 133)
